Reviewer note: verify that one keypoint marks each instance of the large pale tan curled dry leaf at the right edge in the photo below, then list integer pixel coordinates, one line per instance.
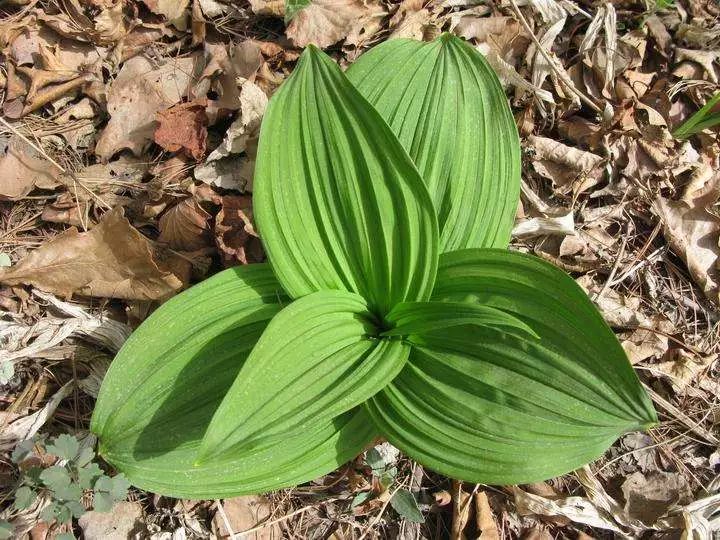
(693, 231)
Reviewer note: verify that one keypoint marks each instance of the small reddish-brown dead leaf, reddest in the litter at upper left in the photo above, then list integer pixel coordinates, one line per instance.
(183, 127)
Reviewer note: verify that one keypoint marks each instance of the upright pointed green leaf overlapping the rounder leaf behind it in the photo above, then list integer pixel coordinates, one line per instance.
(338, 202)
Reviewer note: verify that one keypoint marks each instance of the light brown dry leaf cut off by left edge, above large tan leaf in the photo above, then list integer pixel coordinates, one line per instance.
(22, 169)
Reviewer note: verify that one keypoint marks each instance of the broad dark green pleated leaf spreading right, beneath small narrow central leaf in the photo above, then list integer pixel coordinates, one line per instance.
(485, 406)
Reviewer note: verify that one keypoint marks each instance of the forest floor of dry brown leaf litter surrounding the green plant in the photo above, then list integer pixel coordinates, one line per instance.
(137, 120)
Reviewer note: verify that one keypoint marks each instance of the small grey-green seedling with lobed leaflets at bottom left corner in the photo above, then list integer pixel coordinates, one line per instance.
(65, 483)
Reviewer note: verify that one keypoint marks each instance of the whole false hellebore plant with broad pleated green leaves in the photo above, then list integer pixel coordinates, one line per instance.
(390, 306)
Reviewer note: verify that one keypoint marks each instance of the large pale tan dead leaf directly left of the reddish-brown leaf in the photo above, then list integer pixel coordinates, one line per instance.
(136, 95)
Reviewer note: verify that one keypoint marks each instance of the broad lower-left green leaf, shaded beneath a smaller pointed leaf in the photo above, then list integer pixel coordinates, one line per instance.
(168, 380)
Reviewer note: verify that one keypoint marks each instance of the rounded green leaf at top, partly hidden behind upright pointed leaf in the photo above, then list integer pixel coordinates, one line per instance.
(447, 108)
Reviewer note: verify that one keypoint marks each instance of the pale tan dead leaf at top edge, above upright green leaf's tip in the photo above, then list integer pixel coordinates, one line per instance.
(325, 22)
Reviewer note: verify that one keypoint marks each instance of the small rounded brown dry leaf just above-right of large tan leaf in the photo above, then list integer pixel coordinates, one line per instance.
(185, 226)
